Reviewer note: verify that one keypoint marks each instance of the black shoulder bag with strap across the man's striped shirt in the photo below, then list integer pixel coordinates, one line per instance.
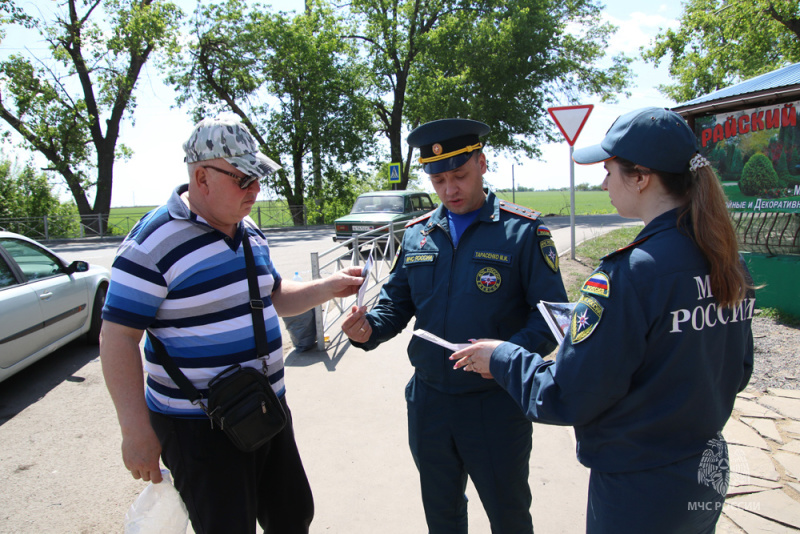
(240, 399)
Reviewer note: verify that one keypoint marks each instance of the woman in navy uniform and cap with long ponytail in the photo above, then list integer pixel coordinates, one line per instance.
(659, 343)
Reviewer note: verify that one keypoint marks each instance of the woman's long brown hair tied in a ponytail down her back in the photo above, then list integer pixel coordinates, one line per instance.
(712, 230)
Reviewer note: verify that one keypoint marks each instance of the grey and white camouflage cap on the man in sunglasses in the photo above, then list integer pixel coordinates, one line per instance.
(228, 138)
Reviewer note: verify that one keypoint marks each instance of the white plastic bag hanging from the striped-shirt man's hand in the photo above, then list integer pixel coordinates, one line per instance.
(159, 509)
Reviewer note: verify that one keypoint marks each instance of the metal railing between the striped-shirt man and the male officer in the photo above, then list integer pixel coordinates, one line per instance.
(354, 251)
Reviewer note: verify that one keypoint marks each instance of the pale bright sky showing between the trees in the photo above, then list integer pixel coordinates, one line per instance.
(156, 137)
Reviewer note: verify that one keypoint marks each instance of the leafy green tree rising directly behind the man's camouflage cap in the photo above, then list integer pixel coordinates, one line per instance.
(294, 83)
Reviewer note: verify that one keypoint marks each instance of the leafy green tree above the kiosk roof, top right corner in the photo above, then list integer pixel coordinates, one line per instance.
(721, 42)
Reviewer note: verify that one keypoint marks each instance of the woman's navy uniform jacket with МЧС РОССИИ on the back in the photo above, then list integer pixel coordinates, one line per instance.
(651, 367)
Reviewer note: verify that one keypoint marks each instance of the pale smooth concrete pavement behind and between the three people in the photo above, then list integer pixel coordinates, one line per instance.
(350, 420)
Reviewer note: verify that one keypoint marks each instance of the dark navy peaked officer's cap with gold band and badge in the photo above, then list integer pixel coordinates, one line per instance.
(447, 144)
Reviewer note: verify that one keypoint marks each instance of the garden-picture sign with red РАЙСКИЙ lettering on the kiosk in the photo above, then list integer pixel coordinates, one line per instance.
(756, 153)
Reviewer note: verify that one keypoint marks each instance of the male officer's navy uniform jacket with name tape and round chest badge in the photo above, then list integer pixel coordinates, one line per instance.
(486, 288)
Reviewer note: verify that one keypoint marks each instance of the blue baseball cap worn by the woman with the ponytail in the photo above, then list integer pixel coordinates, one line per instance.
(656, 138)
